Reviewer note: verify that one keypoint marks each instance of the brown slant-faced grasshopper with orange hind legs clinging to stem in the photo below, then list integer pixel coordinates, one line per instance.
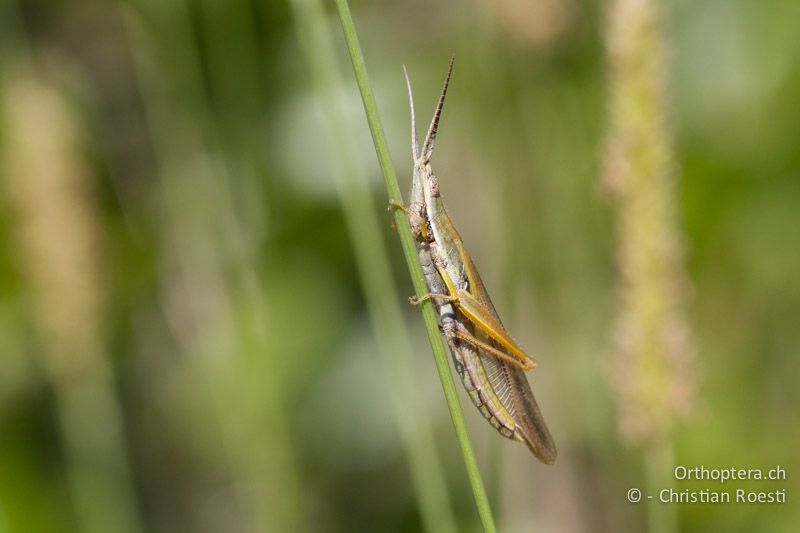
(490, 363)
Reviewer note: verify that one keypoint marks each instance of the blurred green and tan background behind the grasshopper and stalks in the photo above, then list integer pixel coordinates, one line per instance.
(185, 343)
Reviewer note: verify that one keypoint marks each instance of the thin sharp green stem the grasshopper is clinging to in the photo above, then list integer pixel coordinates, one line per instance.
(415, 269)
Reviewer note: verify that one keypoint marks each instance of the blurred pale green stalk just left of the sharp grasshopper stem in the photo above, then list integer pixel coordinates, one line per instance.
(375, 273)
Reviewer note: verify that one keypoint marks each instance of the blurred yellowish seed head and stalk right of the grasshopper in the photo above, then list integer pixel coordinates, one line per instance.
(653, 366)
